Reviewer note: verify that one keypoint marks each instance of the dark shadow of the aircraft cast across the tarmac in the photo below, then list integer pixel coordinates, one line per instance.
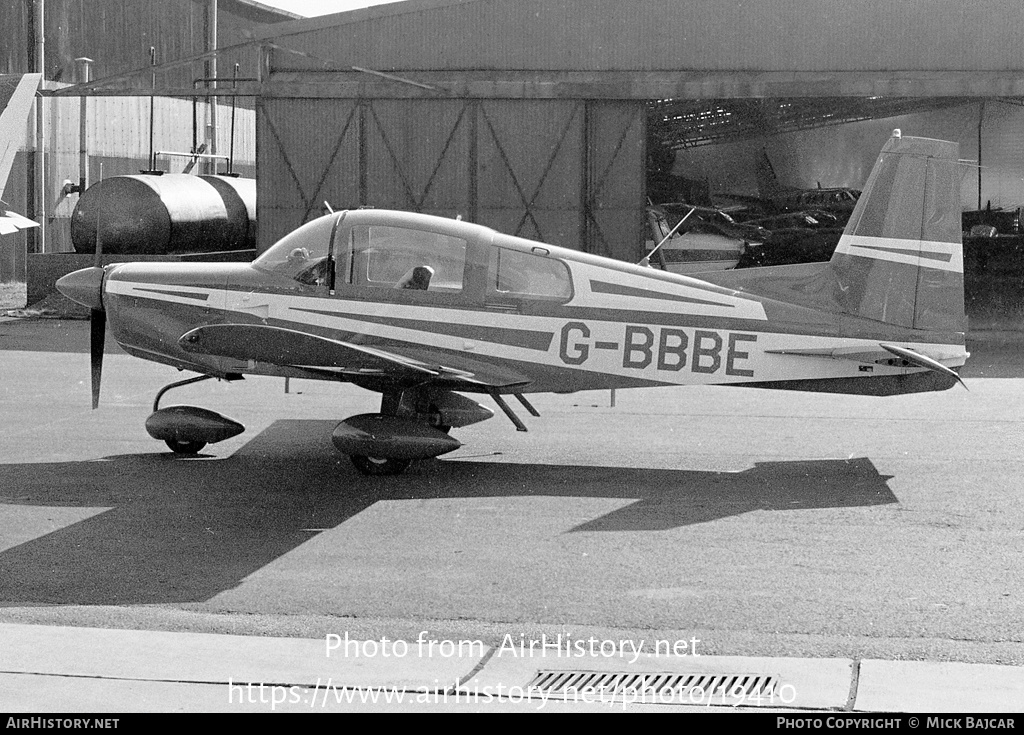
(185, 531)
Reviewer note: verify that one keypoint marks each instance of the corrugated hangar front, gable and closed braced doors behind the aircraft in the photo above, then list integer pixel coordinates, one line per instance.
(533, 116)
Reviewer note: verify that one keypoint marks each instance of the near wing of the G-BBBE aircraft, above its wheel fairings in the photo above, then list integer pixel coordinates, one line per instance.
(282, 347)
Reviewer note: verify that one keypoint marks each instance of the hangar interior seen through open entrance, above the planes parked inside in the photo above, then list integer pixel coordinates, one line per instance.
(834, 142)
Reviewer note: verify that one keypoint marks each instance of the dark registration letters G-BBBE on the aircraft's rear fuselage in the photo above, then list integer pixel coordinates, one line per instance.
(668, 350)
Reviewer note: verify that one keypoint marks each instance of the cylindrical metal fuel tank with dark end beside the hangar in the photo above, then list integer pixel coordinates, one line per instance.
(169, 213)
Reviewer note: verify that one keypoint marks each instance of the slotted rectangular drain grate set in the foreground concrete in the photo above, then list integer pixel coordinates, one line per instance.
(680, 688)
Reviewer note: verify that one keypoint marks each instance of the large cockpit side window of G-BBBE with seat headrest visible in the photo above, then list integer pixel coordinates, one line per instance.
(388, 257)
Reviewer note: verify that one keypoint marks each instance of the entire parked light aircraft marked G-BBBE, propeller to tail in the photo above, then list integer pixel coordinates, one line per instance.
(428, 311)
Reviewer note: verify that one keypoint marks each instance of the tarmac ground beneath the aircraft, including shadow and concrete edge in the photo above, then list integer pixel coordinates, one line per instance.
(864, 556)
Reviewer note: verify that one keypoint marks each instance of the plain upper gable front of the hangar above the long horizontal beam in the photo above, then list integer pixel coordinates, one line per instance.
(611, 36)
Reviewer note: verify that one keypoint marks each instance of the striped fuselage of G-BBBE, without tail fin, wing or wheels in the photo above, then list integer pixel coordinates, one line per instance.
(608, 325)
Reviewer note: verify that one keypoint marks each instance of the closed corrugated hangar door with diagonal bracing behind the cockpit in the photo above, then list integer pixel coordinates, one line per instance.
(566, 172)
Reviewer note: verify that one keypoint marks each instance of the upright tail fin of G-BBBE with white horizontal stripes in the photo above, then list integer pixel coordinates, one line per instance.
(901, 260)
